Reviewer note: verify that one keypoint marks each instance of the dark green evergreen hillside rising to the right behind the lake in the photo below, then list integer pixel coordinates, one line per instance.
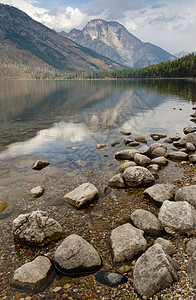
(178, 68)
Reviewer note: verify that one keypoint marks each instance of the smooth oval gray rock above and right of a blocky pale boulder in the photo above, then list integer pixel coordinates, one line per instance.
(147, 222)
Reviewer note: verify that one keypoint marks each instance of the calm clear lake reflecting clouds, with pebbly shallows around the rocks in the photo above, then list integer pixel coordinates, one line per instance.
(62, 122)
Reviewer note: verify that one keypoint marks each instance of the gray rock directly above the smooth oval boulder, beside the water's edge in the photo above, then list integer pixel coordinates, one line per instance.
(160, 192)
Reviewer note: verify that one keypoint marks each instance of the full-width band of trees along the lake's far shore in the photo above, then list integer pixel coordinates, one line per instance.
(184, 67)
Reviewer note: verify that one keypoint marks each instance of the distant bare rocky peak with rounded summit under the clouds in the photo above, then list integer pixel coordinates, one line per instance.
(114, 41)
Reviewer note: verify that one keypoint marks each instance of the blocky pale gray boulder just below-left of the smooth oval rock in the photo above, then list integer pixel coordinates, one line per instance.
(126, 242)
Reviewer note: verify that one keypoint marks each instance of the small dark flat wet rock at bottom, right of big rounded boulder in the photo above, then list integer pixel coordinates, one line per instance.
(110, 279)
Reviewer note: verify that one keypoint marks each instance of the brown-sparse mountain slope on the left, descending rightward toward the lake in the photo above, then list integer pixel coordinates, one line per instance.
(27, 43)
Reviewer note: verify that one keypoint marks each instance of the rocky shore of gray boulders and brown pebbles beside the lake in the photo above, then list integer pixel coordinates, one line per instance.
(130, 240)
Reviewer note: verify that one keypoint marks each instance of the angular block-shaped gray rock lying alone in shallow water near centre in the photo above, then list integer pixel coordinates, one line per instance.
(82, 195)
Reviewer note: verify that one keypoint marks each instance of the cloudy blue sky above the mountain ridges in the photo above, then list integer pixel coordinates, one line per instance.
(170, 24)
